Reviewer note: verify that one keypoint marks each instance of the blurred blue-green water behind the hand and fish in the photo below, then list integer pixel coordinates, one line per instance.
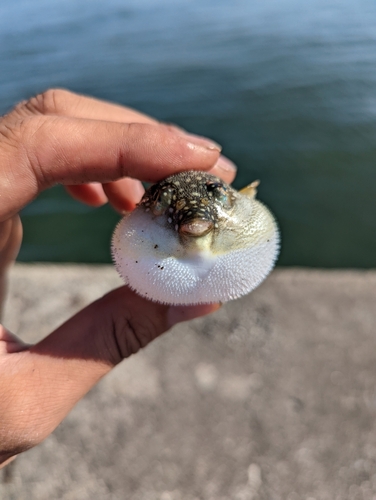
(287, 87)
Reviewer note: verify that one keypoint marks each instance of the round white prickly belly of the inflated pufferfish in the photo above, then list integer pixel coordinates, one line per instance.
(151, 261)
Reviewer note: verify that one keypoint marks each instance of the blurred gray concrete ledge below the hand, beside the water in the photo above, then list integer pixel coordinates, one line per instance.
(273, 397)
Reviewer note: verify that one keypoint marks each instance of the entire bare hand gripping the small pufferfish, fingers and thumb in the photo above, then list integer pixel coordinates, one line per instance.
(97, 150)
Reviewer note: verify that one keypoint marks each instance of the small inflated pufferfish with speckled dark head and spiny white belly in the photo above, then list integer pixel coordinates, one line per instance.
(194, 239)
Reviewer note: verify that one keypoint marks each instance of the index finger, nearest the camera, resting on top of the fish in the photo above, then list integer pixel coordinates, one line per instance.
(42, 151)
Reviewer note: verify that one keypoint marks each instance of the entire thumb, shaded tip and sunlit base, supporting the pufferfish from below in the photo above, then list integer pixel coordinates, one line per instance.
(45, 381)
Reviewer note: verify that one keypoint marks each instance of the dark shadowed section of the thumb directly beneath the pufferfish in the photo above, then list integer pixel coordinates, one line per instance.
(115, 327)
